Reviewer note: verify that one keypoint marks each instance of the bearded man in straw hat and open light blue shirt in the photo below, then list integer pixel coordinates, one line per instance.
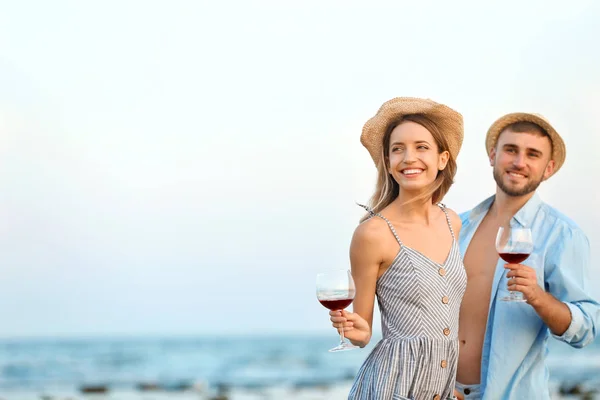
(503, 344)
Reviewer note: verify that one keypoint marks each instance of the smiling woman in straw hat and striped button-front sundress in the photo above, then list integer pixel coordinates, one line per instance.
(405, 252)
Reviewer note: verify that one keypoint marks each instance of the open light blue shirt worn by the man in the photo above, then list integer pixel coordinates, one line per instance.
(514, 348)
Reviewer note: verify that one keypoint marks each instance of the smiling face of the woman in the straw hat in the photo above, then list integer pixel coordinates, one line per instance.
(414, 160)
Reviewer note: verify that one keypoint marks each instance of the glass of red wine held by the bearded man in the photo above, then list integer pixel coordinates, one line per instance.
(514, 245)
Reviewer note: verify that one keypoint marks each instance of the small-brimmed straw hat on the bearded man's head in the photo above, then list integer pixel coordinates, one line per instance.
(559, 151)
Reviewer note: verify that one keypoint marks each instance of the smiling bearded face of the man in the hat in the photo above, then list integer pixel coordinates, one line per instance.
(521, 161)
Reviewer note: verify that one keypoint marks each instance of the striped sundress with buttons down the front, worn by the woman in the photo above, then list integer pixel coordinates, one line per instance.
(419, 301)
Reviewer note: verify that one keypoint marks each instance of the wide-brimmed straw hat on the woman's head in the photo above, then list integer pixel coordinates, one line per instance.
(449, 122)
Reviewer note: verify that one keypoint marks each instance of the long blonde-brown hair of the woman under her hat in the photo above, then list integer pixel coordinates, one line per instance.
(387, 189)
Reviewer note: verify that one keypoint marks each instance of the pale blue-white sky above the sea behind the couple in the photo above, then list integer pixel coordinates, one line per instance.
(188, 167)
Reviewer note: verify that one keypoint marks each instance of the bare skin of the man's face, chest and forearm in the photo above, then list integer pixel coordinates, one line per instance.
(520, 161)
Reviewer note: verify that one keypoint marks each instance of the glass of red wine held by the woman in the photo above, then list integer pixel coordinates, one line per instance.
(335, 291)
